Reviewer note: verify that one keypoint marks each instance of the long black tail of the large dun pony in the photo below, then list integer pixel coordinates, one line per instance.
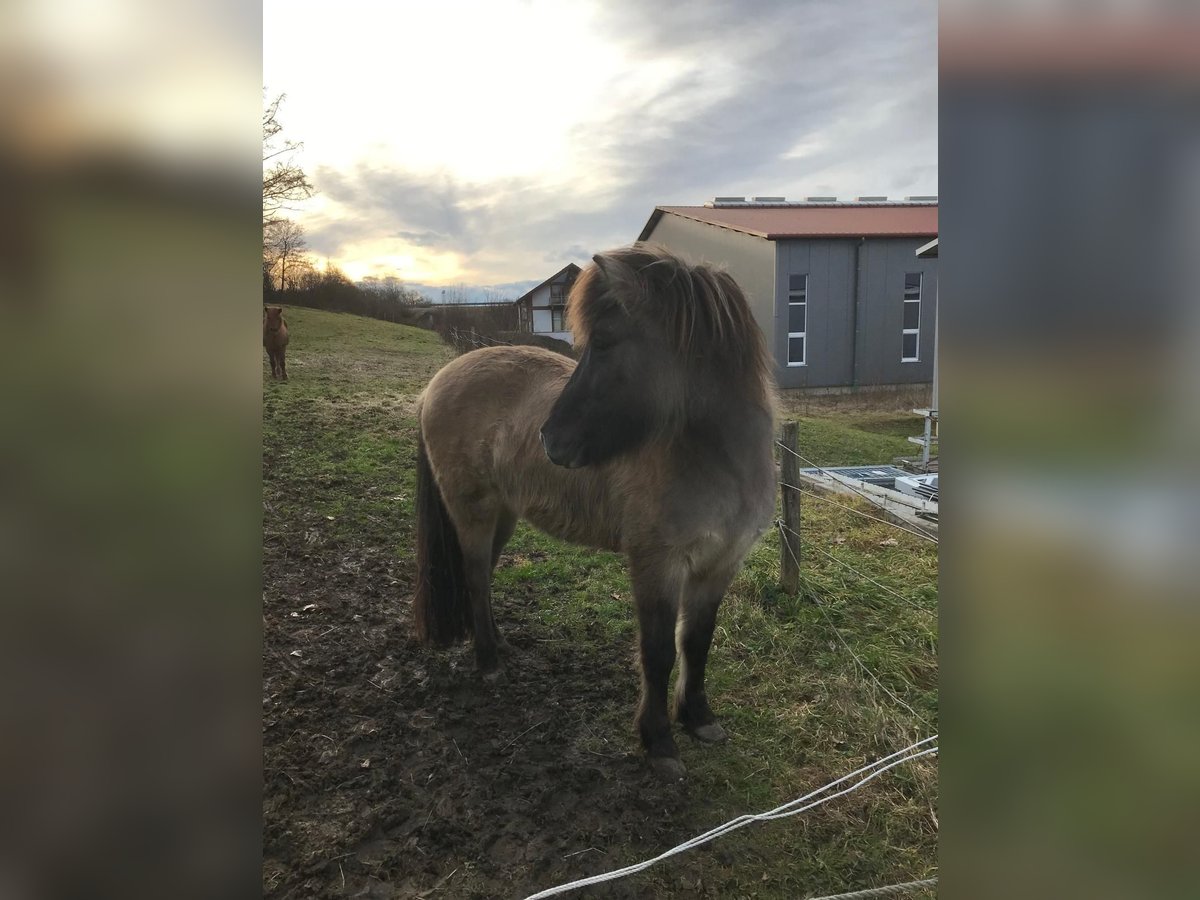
(441, 605)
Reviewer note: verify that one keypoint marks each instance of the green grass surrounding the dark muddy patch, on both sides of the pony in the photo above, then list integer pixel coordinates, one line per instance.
(340, 445)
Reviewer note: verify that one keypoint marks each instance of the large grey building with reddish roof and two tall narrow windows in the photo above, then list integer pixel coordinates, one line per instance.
(837, 287)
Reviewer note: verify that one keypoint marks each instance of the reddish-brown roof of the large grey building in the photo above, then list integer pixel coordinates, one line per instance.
(812, 220)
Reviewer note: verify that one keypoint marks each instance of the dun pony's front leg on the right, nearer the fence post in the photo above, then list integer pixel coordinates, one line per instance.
(694, 635)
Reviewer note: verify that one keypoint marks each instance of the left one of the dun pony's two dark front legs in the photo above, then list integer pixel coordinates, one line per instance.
(658, 602)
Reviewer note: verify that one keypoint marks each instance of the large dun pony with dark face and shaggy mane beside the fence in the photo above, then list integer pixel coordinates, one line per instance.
(657, 445)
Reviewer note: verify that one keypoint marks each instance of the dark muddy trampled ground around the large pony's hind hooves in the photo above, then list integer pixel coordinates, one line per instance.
(392, 770)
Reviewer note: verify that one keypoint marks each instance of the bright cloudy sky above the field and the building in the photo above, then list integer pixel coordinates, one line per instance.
(488, 142)
